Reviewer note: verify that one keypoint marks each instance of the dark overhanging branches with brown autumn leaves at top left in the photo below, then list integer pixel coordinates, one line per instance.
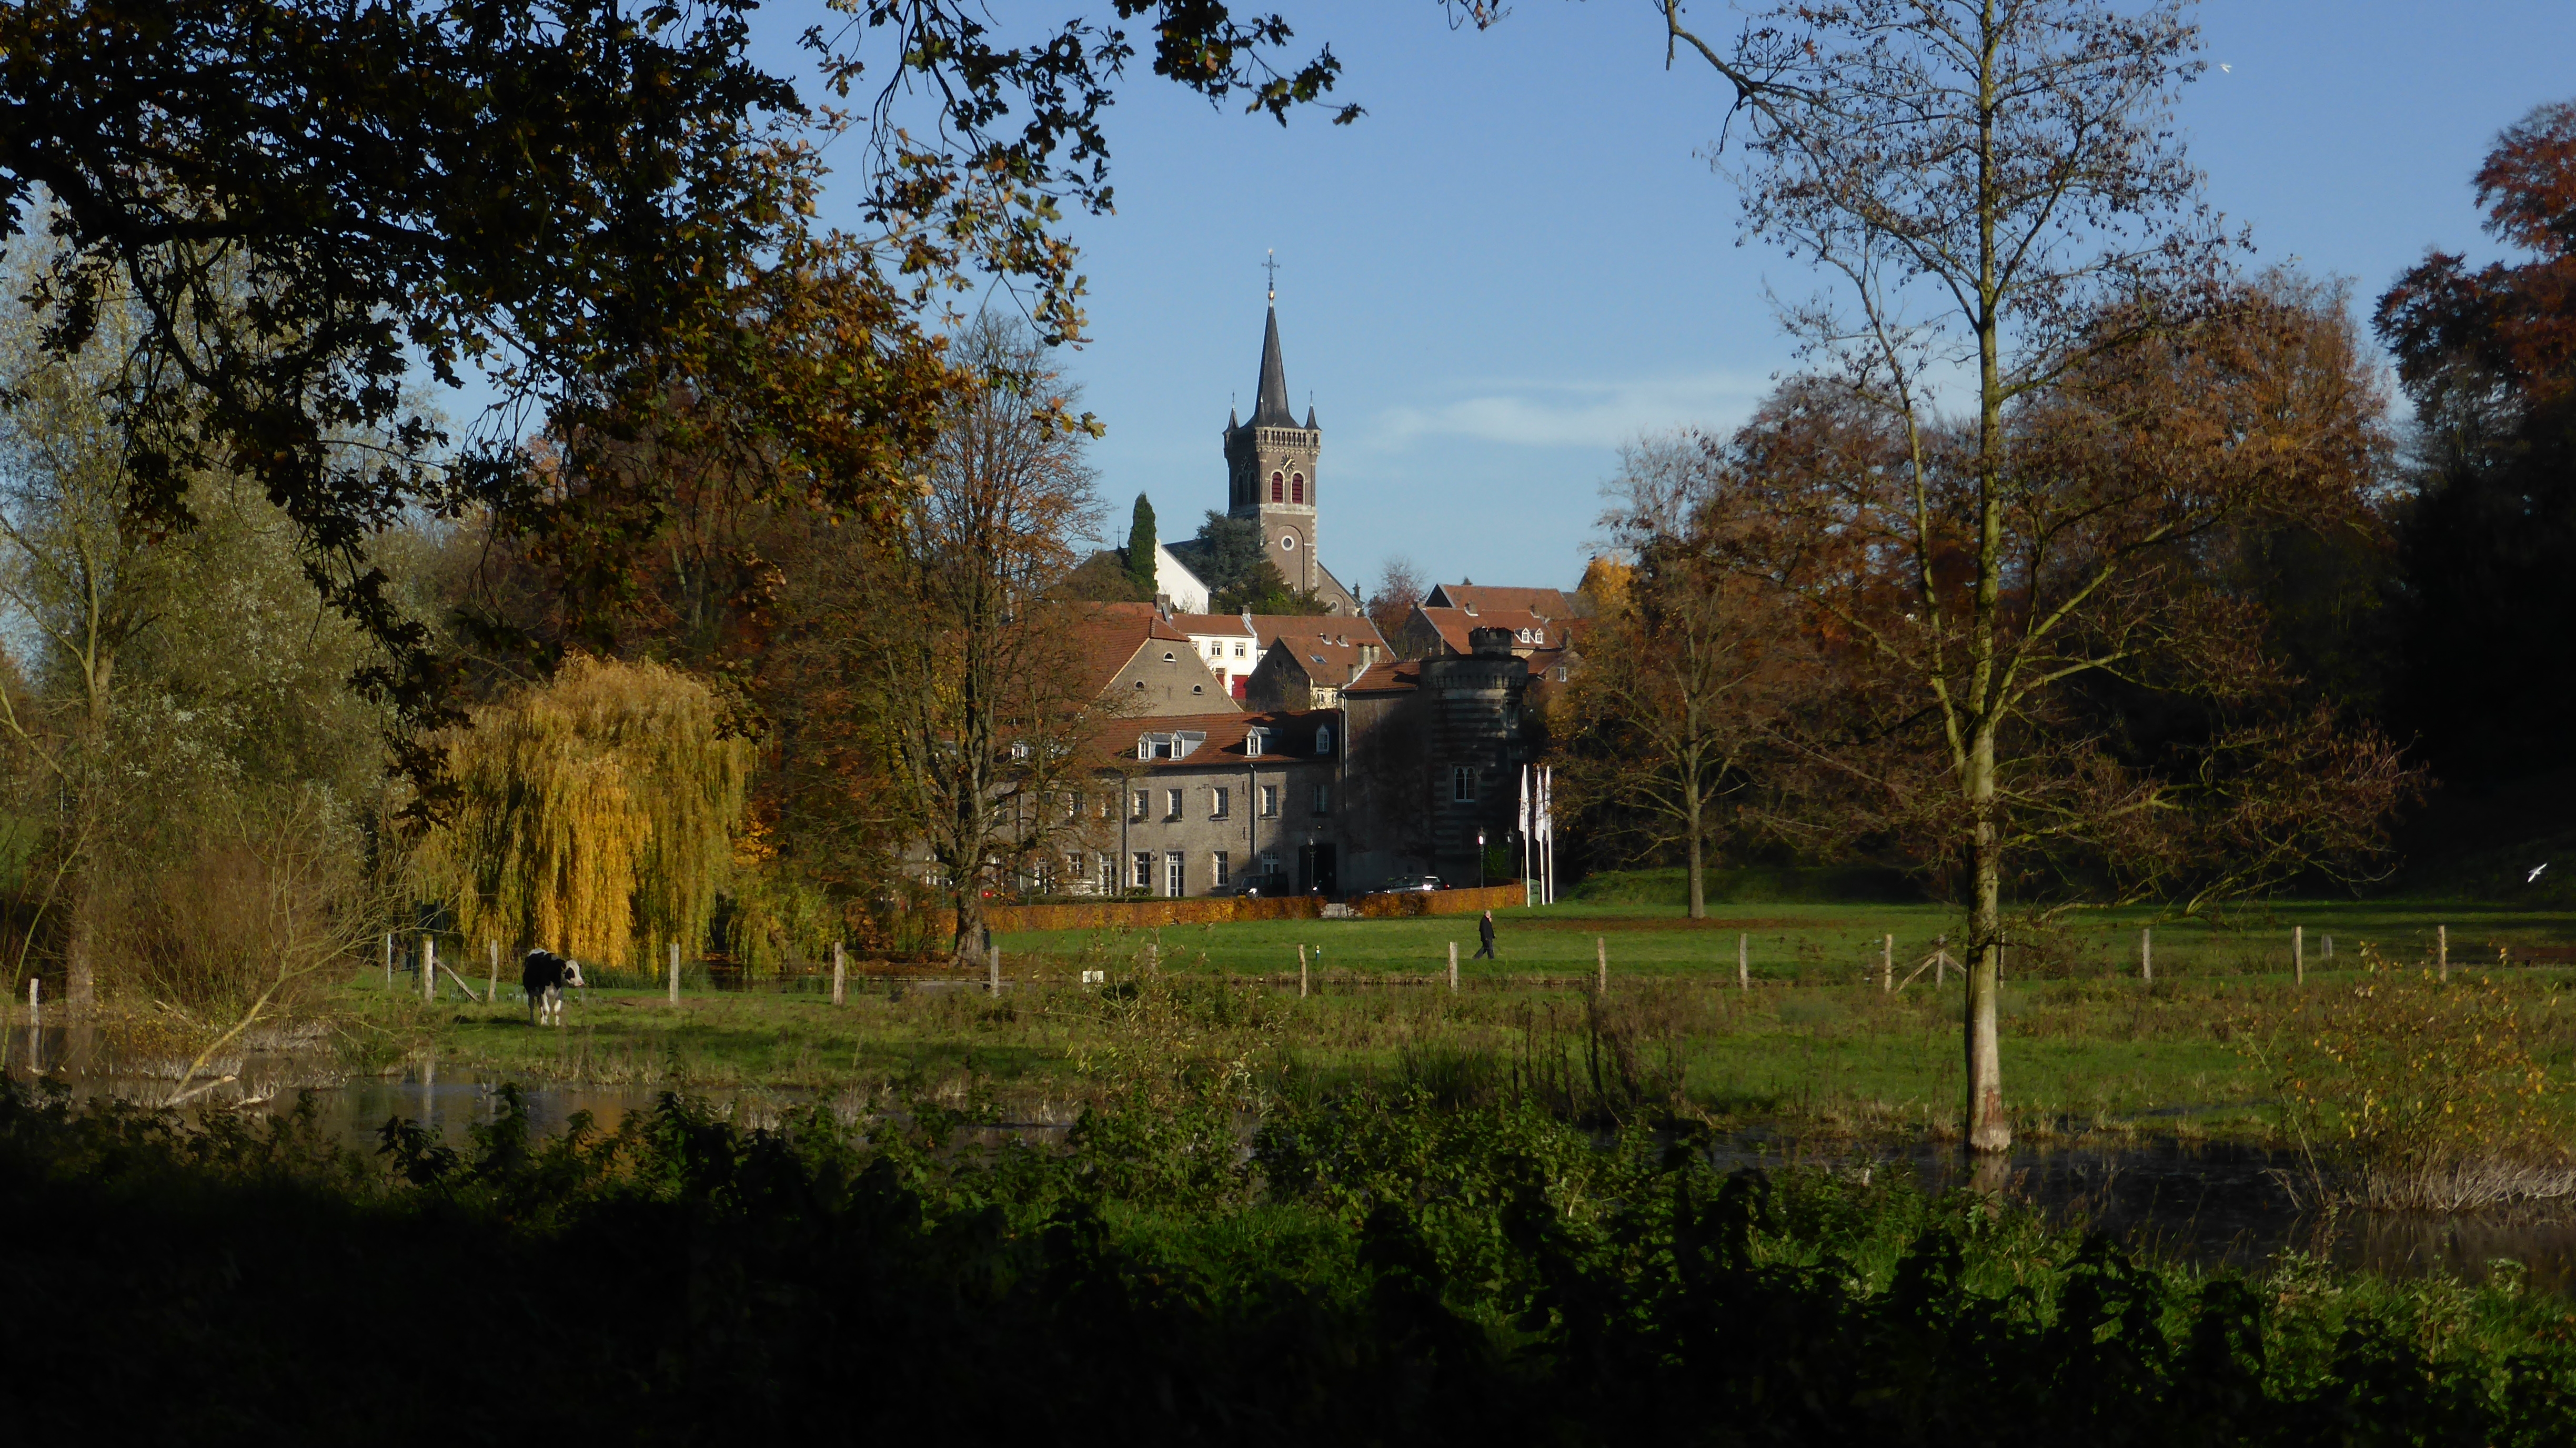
(604, 210)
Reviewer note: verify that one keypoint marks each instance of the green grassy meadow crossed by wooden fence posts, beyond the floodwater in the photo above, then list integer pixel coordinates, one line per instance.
(1812, 1047)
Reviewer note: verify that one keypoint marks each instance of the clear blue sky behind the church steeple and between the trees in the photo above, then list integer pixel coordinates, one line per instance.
(1521, 259)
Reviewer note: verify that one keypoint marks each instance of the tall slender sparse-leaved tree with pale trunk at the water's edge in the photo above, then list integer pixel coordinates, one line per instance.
(2005, 210)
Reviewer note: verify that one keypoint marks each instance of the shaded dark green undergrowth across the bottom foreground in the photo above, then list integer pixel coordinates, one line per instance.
(1379, 1272)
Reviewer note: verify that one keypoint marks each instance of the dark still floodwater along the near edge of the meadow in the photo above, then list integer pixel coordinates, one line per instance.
(2214, 1205)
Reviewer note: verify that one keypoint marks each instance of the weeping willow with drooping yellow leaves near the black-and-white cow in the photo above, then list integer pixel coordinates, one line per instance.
(591, 815)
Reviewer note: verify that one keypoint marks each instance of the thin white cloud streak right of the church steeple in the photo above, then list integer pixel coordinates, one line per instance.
(1575, 414)
